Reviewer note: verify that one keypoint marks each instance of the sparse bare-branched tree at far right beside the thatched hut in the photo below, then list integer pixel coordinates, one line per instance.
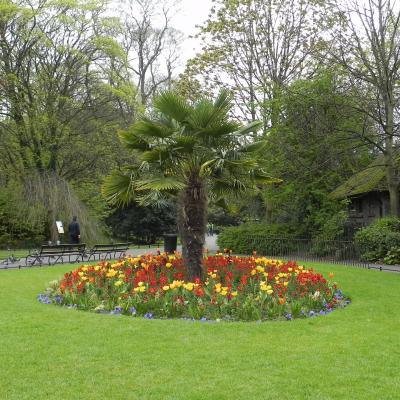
(366, 44)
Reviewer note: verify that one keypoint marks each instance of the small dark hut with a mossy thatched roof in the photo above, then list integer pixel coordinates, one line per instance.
(367, 192)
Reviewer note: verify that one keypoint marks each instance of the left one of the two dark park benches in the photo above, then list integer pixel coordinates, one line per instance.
(56, 253)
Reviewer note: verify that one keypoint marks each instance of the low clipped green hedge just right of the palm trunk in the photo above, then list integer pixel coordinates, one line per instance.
(249, 237)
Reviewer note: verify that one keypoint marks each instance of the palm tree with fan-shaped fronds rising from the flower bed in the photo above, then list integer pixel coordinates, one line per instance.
(194, 150)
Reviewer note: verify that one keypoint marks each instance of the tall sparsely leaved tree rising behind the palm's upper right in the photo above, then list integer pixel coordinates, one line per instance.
(255, 48)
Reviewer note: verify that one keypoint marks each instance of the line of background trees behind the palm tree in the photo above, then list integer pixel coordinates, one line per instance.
(322, 77)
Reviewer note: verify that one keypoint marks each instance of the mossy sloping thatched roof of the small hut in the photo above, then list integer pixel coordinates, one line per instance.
(372, 178)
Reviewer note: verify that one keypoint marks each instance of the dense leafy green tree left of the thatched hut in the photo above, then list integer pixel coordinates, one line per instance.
(312, 152)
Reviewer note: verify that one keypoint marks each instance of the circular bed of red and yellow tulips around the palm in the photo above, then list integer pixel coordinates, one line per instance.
(234, 288)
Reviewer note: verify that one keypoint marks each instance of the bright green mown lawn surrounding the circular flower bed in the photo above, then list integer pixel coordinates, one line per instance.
(49, 352)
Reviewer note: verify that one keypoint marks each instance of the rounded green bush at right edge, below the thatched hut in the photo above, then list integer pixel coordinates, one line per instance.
(375, 240)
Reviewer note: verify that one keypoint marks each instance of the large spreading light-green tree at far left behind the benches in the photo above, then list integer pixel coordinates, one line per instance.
(55, 103)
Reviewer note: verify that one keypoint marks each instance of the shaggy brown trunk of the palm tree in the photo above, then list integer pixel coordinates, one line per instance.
(192, 226)
